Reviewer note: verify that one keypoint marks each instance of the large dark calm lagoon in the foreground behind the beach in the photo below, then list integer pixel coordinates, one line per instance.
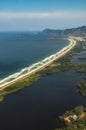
(38, 107)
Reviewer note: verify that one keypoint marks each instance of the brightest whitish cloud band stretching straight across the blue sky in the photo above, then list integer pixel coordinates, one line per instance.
(60, 15)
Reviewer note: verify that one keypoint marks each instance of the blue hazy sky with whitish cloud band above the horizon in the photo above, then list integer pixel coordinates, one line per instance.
(29, 15)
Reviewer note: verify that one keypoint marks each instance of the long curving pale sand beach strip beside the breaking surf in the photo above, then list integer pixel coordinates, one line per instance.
(56, 56)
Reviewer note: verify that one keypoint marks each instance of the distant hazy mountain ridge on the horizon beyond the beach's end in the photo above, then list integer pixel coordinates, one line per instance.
(80, 31)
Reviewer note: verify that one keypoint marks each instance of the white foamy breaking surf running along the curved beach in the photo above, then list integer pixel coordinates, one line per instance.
(33, 66)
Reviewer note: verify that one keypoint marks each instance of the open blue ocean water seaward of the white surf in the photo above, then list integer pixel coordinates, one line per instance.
(20, 50)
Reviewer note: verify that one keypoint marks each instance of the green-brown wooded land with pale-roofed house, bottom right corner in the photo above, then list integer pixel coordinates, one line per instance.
(74, 119)
